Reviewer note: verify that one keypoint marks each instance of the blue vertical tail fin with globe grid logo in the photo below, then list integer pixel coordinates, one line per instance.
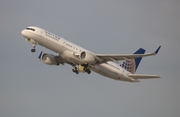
(132, 64)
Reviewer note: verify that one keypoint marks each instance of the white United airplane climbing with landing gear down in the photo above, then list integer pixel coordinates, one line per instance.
(83, 60)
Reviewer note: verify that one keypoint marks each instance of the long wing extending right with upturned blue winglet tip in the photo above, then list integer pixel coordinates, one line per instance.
(117, 57)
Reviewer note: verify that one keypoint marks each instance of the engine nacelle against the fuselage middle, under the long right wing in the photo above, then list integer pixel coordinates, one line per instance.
(87, 57)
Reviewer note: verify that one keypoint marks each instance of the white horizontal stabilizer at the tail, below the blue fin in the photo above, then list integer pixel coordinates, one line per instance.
(142, 76)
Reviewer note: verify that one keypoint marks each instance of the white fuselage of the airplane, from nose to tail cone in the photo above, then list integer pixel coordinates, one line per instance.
(66, 49)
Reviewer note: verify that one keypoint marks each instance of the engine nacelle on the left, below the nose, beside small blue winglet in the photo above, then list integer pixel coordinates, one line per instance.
(49, 59)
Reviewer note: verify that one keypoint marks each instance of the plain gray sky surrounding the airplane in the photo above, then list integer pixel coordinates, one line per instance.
(29, 88)
